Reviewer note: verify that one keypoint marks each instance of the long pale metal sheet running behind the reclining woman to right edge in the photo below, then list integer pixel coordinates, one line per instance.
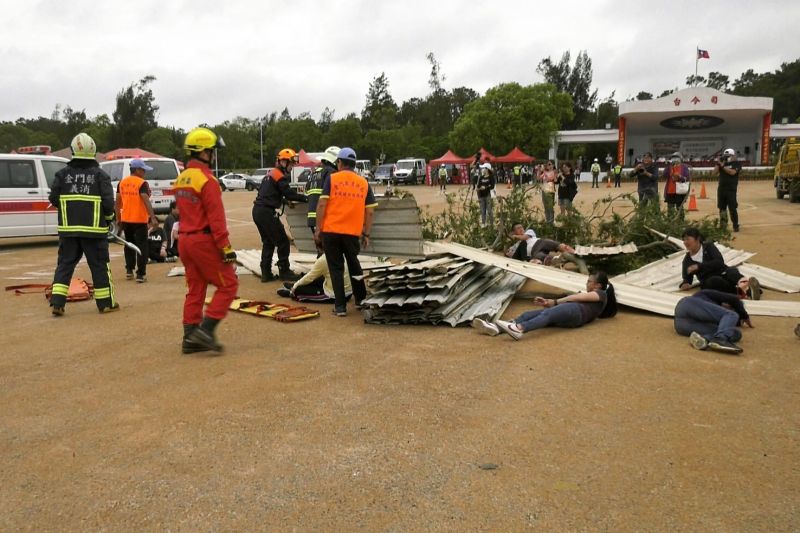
(628, 294)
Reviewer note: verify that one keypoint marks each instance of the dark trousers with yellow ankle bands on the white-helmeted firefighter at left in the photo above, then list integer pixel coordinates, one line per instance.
(70, 251)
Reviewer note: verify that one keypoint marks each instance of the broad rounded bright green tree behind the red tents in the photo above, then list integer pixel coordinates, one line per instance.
(512, 115)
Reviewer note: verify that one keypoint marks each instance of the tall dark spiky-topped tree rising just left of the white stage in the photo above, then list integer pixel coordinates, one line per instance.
(575, 81)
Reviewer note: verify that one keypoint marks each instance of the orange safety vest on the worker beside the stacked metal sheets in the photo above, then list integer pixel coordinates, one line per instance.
(344, 212)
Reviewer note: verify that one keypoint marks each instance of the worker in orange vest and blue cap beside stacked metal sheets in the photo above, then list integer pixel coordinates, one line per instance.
(344, 213)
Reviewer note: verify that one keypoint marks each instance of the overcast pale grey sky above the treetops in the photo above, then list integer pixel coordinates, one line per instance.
(215, 60)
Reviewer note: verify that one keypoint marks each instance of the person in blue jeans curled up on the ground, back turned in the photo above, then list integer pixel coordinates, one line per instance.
(711, 319)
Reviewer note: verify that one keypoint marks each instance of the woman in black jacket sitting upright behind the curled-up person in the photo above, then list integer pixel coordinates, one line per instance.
(705, 261)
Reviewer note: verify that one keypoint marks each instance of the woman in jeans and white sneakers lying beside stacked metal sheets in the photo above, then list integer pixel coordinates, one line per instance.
(571, 311)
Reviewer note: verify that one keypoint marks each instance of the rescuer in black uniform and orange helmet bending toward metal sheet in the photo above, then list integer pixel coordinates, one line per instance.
(272, 194)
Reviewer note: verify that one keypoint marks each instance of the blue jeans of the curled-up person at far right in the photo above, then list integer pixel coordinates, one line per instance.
(708, 319)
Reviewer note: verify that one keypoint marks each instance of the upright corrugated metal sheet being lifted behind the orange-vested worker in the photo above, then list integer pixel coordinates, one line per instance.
(396, 230)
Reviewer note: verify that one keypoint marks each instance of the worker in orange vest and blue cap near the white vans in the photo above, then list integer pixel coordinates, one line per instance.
(136, 217)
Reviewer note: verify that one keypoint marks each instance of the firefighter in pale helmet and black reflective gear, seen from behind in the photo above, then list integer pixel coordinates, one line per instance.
(83, 195)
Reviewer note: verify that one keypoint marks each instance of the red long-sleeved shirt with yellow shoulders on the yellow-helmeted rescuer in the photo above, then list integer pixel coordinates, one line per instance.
(199, 201)
